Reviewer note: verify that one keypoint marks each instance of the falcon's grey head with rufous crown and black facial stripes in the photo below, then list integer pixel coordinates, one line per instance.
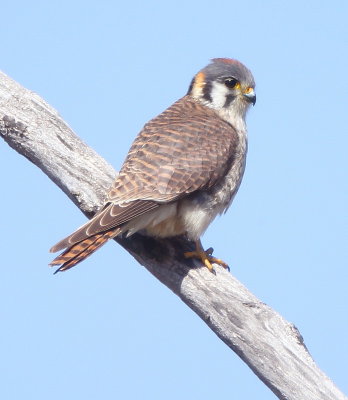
(225, 85)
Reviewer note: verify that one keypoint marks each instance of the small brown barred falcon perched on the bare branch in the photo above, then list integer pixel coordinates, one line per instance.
(182, 170)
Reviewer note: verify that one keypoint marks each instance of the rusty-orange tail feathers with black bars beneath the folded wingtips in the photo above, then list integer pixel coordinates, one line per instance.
(81, 250)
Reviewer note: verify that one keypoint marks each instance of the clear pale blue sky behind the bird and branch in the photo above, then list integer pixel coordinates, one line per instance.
(107, 329)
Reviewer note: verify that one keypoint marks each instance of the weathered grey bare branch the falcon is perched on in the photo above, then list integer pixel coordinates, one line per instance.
(272, 347)
